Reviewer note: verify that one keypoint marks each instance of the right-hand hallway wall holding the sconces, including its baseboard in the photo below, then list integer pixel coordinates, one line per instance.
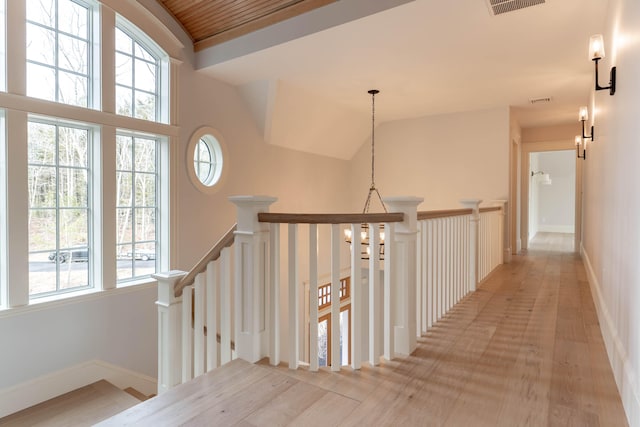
(611, 241)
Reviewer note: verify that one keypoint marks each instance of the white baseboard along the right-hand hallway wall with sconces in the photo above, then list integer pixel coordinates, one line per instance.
(623, 371)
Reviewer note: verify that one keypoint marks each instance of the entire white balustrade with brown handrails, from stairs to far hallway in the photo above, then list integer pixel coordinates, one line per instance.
(431, 261)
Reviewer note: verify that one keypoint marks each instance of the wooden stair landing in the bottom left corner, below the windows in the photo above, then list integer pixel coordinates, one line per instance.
(84, 406)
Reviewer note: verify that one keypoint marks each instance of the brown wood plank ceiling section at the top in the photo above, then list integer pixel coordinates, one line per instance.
(210, 22)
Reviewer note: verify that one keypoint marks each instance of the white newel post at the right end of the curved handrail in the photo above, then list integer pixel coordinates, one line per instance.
(403, 274)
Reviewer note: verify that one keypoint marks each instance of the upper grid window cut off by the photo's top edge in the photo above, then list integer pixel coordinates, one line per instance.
(59, 51)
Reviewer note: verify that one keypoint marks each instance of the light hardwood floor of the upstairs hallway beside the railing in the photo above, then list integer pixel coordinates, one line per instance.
(523, 350)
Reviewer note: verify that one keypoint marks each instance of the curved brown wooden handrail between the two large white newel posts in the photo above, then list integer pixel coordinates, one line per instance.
(285, 218)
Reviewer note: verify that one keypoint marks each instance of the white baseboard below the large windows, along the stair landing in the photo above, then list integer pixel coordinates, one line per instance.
(27, 394)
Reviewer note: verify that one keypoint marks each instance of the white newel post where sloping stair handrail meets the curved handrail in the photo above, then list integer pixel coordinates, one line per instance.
(251, 277)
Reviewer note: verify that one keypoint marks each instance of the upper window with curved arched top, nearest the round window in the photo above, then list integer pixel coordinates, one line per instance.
(137, 83)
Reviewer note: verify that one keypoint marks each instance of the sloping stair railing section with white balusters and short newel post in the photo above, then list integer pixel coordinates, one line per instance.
(195, 316)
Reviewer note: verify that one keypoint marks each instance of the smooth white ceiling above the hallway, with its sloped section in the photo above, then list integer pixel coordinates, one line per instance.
(427, 57)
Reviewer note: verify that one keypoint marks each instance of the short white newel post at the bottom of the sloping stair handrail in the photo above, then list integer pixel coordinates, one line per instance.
(169, 330)
